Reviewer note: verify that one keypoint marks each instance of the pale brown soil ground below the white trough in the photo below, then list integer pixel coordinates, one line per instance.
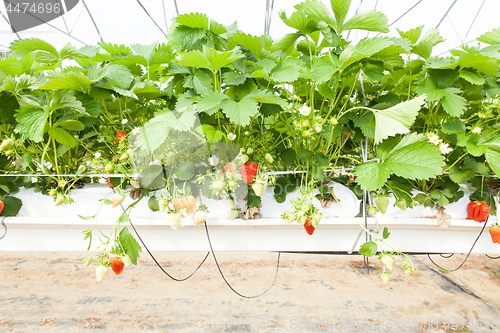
(54, 292)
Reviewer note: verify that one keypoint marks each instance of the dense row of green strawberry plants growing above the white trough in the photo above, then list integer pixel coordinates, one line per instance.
(214, 111)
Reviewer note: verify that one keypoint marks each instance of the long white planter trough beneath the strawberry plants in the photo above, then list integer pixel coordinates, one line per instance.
(40, 226)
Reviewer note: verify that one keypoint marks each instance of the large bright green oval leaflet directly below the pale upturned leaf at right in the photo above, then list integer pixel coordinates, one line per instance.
(419, 160)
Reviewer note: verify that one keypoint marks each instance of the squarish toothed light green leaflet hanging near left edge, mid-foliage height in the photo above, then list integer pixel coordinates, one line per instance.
(31, 122)
